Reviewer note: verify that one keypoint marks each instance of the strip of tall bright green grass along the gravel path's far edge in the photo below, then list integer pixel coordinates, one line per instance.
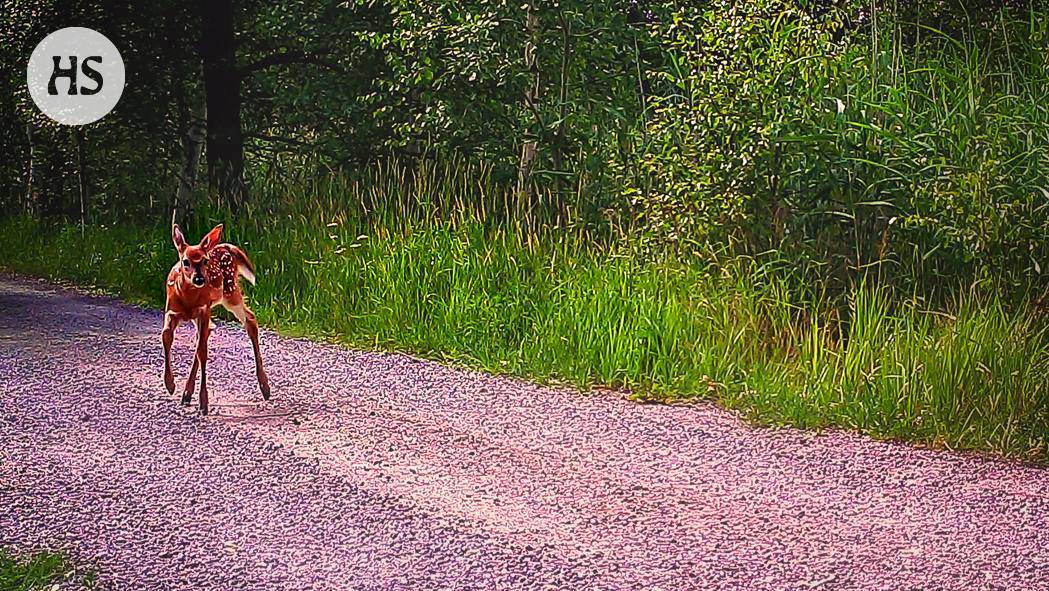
(554, 305)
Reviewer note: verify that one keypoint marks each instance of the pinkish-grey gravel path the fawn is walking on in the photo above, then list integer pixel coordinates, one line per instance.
(381, 472)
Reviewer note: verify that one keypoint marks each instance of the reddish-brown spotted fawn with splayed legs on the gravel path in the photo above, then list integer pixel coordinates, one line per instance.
(206, 276)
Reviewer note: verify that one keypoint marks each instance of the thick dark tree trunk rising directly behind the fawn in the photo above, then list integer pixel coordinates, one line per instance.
(222, 83)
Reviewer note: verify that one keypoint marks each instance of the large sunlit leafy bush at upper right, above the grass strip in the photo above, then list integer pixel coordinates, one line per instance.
(855, 147)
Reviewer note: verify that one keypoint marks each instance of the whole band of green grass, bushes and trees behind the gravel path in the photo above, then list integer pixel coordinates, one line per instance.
(832, 217)
